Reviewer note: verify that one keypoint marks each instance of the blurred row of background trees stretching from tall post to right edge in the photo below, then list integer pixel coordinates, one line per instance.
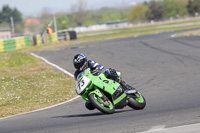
(153, 10)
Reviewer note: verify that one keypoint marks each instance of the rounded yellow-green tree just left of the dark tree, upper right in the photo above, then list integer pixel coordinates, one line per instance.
(137, 13)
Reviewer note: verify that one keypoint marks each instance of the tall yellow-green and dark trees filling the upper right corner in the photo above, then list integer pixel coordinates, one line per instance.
(165, 9)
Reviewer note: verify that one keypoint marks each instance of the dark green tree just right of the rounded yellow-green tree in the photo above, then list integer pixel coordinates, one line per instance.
(155, 10)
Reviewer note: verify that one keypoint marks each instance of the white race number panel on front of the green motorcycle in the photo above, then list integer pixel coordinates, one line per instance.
(81, 84)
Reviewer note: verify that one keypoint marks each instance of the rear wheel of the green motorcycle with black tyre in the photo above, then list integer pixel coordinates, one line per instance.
(136, 103)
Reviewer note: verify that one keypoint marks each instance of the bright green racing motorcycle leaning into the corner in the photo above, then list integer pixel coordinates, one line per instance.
(106, 94)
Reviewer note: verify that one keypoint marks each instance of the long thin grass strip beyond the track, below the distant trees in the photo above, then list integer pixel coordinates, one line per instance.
(141, 30)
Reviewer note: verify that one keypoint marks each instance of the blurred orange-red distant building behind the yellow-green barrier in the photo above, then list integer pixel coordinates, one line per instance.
(31, 26)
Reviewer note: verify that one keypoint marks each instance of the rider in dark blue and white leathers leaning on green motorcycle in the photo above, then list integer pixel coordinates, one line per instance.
(81, 63)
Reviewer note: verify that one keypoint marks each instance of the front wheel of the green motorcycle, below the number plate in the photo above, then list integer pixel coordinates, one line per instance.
(103, 105)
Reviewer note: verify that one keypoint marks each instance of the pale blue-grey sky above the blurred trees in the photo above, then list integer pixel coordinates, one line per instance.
(35, 7)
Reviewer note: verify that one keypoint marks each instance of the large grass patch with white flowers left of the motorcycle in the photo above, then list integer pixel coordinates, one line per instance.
(27, 84)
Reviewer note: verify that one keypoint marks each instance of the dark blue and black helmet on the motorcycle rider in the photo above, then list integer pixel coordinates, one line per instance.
(80, 62)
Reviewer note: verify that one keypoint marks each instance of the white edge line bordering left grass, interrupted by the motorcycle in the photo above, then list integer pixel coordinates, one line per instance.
(59, 68)
